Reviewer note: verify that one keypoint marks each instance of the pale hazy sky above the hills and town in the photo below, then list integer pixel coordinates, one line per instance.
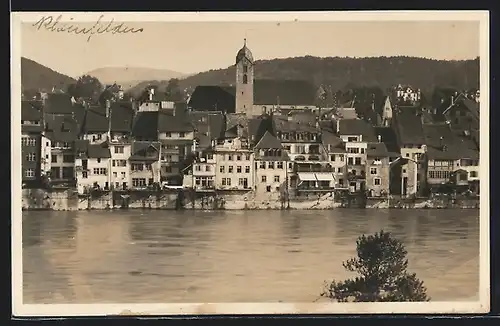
(194, 47)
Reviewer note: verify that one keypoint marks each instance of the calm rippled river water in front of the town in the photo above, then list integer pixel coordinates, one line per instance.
(233, 256)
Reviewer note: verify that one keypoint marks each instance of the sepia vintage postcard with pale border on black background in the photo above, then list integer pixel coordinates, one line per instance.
(250, 163)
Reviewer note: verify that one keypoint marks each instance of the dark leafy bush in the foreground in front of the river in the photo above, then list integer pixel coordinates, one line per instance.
(381, 266)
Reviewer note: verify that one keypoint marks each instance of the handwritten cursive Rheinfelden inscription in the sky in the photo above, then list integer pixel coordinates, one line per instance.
(52, 24)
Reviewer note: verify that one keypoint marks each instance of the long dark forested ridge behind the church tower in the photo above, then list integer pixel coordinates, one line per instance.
(346, 73)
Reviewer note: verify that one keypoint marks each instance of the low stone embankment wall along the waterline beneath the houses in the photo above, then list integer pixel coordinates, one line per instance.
(69, 200)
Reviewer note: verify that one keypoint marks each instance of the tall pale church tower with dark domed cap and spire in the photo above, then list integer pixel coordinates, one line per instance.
(244, 80)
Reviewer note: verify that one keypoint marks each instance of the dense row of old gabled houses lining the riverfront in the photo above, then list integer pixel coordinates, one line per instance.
(123, 147)
